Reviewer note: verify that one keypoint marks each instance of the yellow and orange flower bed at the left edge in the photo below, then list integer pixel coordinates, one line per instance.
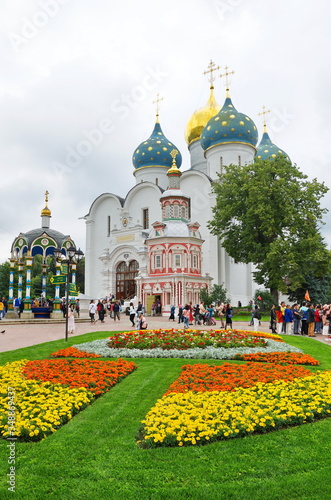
(42, 402)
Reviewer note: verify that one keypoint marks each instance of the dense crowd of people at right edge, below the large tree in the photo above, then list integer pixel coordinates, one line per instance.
(307, 319)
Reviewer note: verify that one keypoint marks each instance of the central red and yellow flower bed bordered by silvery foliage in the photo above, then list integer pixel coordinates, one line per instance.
(188, 339)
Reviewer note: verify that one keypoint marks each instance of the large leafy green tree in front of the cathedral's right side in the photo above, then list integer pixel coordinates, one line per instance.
(268, 213)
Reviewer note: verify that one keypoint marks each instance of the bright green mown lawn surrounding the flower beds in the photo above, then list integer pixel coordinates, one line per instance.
(95, 455)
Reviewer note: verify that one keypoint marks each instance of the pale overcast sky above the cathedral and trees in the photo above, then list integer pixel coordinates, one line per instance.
(78, 78)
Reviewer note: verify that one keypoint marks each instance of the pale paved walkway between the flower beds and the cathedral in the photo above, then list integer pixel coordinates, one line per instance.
(18, 335)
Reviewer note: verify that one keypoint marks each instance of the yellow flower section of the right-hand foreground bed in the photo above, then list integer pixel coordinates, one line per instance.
(195, 417)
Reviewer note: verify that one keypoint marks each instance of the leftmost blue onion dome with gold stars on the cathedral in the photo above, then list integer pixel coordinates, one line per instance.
(155, 151)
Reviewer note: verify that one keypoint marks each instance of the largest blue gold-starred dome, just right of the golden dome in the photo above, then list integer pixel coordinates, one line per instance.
(229, 126)
